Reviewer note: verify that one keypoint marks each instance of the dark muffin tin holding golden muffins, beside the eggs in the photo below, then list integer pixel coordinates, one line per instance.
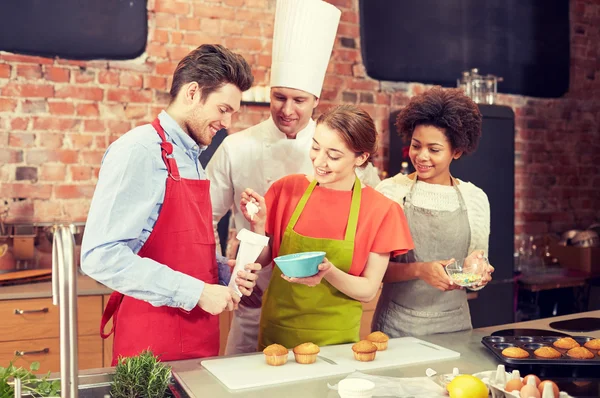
(531, 343)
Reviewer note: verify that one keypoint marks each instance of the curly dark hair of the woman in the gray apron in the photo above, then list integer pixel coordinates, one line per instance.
(448, 109)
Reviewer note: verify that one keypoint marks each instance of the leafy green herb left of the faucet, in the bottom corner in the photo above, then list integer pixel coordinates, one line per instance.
(37, 387)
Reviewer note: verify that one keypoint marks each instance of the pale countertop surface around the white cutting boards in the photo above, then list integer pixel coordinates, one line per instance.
(474, 358)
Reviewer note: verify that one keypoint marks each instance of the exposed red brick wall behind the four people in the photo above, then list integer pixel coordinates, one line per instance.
(58, 116)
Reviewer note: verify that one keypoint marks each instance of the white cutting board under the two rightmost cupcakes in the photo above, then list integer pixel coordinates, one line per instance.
(401, 351)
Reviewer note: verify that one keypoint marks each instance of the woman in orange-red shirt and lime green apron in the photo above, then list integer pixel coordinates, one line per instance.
(331, 211)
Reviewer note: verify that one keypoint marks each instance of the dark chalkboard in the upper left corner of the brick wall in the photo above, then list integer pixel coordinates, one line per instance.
(74, 29)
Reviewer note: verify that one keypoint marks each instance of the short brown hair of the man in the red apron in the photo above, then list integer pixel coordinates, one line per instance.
(212, 66)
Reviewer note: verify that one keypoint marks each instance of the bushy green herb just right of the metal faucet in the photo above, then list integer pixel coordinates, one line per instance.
(141, 376)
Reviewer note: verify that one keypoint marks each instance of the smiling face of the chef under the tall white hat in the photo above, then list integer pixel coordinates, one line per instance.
(291, 109)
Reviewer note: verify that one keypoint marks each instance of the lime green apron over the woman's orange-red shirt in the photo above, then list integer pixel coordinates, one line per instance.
(293, 313)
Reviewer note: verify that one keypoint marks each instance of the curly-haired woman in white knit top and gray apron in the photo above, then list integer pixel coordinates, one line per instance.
(448, 218)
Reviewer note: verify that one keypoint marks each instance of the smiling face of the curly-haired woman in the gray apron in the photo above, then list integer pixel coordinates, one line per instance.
(431, 154)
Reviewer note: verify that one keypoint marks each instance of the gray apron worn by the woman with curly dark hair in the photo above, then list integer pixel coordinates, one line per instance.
(415, 308)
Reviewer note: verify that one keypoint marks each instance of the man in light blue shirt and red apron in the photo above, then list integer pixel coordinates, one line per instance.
(149, 231)
